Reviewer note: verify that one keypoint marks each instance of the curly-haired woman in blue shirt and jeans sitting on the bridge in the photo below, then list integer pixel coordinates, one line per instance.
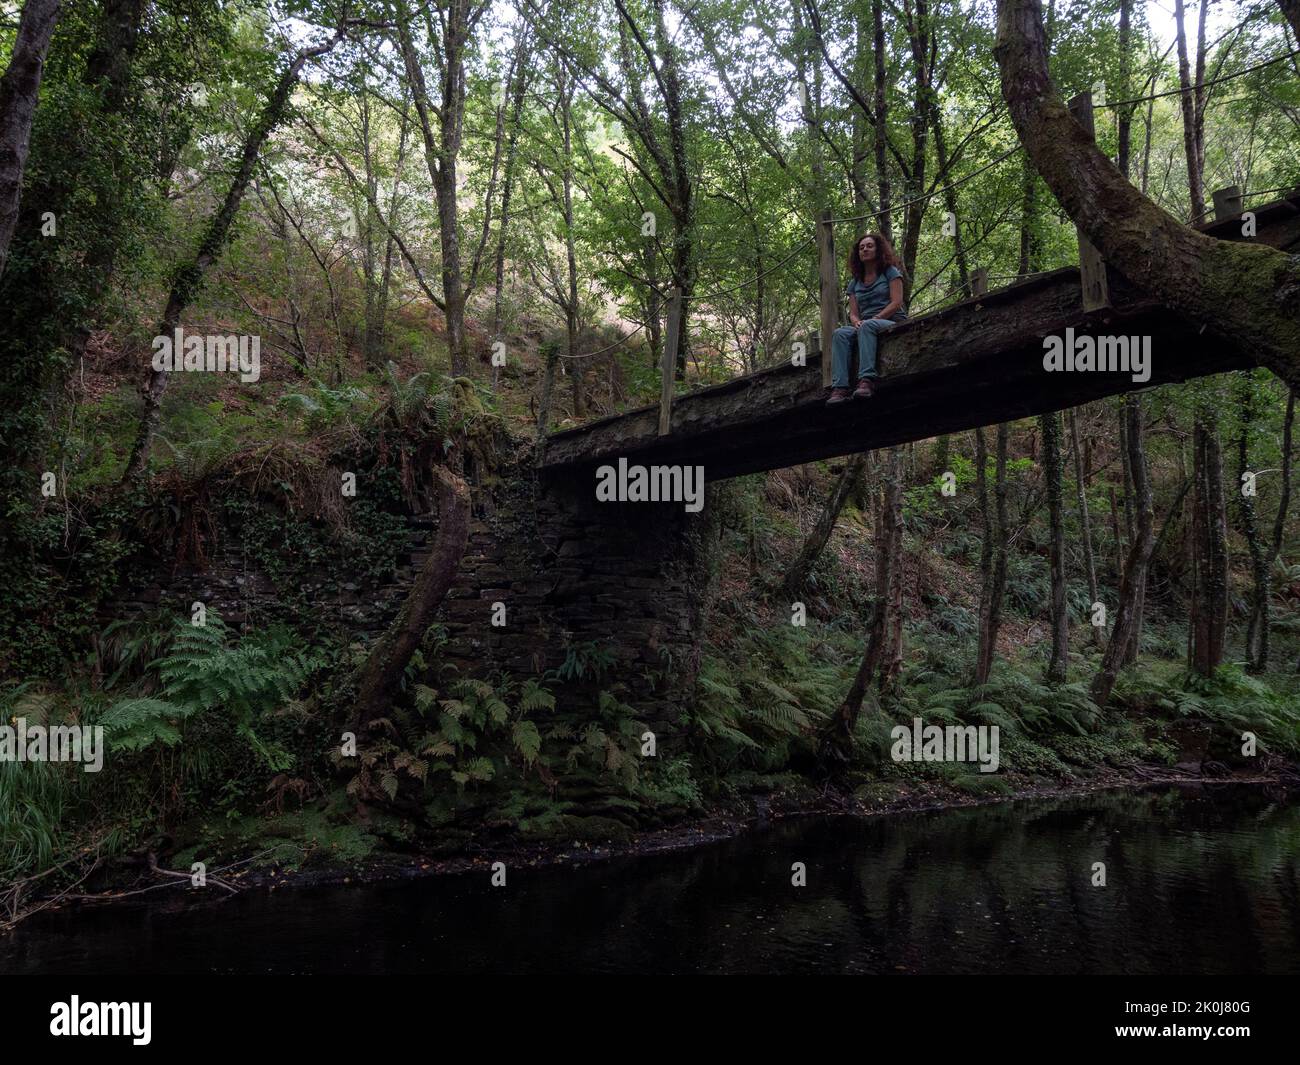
(876, 306)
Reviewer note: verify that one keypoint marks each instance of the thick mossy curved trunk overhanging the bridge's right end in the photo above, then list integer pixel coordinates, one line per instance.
(1245, 293)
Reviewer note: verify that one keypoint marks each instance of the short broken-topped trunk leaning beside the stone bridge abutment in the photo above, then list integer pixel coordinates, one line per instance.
(379, 677)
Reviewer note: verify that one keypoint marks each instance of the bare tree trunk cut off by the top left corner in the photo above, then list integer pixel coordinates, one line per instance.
(20, 88)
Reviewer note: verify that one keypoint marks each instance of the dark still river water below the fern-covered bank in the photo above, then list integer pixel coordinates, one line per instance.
(1199, 881)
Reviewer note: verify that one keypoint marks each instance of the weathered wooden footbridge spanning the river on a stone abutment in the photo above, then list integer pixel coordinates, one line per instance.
(977, 363)
